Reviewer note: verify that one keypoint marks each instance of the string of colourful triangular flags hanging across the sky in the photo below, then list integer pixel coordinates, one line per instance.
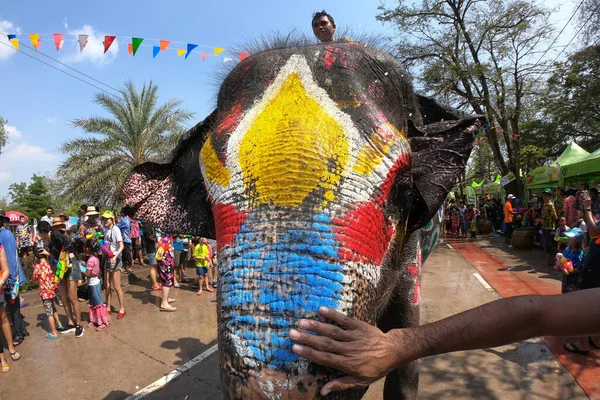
(132, 47)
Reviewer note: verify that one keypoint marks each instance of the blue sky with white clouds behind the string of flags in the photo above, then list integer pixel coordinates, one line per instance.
(39, 101)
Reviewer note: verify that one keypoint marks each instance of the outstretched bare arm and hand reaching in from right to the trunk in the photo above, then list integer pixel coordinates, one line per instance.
(366, 354)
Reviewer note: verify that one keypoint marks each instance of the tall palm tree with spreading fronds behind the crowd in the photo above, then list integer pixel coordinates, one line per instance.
(137, 132)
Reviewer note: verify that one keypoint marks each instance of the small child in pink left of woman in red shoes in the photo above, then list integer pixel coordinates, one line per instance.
(98, 313)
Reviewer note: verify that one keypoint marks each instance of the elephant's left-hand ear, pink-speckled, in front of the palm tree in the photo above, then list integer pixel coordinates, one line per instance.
(172, 196)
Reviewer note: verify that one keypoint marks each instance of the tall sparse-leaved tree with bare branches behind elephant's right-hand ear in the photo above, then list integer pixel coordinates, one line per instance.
(481, 55)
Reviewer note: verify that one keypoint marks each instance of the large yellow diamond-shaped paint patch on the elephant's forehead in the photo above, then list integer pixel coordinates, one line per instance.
(292, 148)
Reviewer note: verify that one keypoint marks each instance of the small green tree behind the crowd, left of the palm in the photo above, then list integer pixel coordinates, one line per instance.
(32, 199)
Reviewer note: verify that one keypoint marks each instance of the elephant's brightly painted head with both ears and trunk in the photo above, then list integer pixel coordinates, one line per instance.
(311, 174)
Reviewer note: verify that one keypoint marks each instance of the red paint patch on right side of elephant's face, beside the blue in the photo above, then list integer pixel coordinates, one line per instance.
(364, 234)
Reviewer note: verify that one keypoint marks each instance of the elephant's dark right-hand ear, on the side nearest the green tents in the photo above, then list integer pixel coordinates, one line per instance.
(440, 151)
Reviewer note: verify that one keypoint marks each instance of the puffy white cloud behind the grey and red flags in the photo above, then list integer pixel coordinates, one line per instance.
(93, 50)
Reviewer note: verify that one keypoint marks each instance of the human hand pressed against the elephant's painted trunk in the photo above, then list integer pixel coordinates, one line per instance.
(358, 349)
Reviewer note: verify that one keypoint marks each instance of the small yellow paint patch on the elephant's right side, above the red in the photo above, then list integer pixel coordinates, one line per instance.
(373, 152)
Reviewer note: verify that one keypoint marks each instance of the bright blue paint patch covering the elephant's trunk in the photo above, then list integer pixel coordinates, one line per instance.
(291, 277)
